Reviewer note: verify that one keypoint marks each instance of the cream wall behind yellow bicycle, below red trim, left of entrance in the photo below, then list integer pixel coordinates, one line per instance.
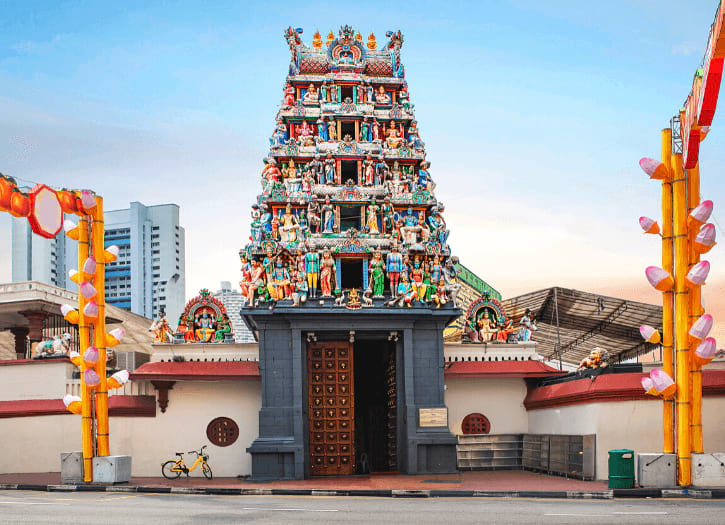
(34, 444)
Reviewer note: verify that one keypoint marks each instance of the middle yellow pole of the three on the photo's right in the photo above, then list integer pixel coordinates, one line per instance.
(682, 348)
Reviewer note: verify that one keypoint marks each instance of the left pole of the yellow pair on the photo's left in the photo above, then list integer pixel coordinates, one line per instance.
(84, 340)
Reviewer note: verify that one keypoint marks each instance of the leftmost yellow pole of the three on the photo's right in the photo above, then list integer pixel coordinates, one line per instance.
(667, 312)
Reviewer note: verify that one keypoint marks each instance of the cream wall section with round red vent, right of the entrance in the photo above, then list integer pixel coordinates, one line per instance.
(501, 400)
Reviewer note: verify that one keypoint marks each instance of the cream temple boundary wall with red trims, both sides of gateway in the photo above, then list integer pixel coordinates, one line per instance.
(36, 429)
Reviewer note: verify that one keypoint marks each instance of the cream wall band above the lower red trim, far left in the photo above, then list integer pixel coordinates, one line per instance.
(33, 381)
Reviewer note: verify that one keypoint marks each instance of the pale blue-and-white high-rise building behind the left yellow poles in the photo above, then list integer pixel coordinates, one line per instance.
(148, 275)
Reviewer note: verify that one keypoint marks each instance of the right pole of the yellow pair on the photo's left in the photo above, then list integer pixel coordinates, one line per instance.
(99, 328)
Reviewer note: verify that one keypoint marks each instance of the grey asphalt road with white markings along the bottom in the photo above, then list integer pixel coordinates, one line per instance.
(121, 509)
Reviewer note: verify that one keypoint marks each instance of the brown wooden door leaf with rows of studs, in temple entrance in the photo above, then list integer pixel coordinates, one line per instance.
(331, 408)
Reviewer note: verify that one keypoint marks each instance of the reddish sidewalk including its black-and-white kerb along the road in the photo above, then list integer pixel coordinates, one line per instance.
(501, 483)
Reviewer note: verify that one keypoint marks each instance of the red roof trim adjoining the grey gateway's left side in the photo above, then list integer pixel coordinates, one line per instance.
(197, 370)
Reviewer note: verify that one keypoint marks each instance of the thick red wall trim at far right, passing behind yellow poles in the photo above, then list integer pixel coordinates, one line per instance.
(608, 388)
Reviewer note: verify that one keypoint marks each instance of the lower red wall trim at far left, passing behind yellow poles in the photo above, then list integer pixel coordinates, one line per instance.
(118, 406)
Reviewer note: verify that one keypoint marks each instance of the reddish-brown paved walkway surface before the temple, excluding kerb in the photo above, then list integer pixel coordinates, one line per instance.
(496, 480)
